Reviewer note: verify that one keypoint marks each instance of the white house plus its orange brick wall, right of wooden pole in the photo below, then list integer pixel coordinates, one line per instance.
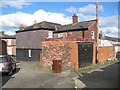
(108, 46)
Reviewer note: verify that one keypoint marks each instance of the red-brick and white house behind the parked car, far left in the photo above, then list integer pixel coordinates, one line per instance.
(10, 41)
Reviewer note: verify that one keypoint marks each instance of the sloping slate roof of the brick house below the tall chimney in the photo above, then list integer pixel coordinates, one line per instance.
(78, 26)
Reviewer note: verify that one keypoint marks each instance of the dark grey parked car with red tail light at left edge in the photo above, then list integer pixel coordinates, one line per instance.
(7, 64)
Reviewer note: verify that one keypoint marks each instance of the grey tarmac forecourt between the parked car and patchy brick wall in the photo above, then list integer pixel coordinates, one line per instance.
(28, 77)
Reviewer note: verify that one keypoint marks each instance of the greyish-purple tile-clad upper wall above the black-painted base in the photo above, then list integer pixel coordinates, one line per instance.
(31, 39)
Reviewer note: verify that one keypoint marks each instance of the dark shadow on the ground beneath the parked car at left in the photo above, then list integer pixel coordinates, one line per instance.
(5, 77)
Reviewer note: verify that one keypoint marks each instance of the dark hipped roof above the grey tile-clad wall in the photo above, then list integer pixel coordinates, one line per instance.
(44, 25)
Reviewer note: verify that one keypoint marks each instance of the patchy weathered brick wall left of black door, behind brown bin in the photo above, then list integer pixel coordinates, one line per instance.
(66, 51)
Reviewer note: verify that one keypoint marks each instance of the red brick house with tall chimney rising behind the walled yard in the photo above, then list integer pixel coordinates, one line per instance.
(86, 29)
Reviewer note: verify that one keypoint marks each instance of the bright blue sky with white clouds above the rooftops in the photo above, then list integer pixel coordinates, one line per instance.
(13, 13)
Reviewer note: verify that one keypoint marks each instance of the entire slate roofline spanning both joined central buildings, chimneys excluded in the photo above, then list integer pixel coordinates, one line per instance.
(84, 25)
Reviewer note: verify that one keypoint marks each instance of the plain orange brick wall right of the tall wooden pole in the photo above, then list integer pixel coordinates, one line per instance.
(105, 52)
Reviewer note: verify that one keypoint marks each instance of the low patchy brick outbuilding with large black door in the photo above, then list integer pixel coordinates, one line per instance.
(73, 53)
